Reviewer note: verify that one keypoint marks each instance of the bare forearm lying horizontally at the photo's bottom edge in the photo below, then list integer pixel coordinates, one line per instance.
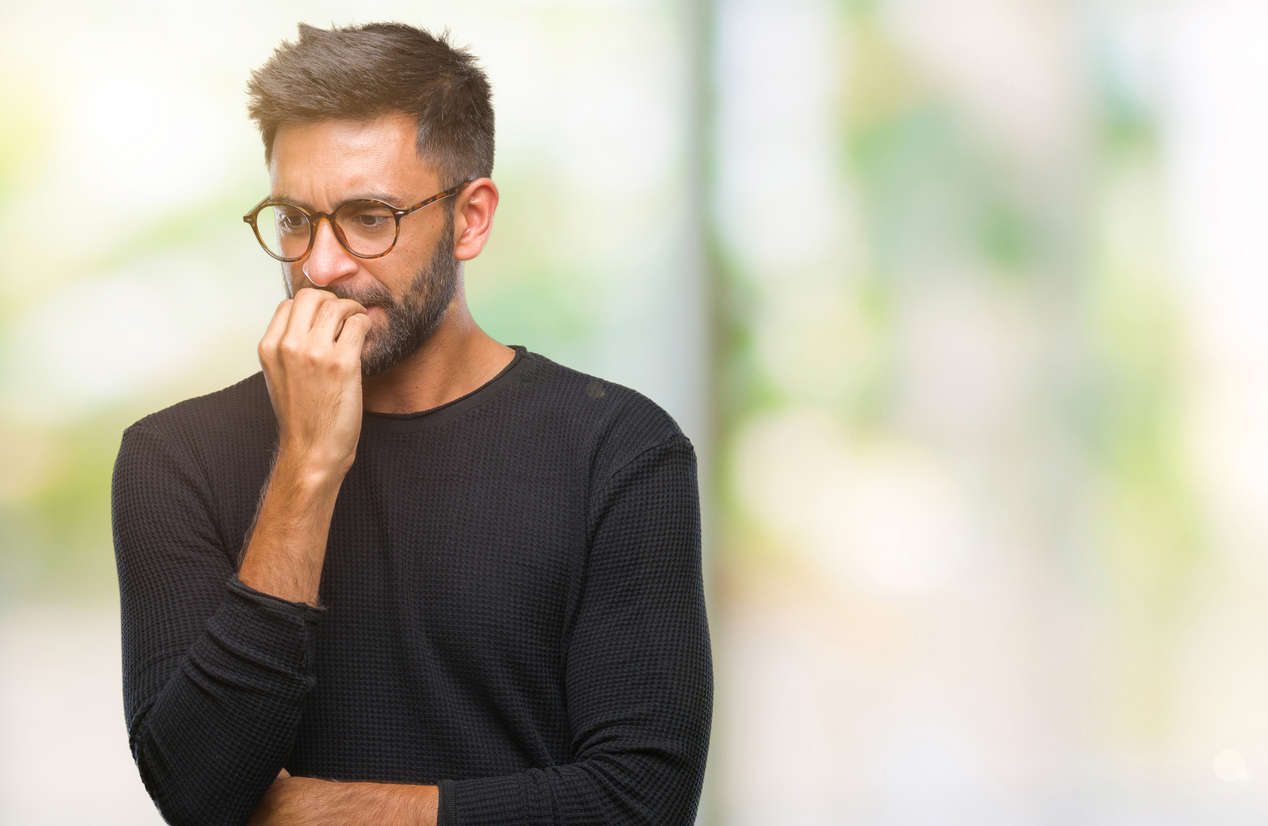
(314, 803)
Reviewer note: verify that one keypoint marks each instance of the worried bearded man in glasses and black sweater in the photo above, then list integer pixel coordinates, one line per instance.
(405, 574)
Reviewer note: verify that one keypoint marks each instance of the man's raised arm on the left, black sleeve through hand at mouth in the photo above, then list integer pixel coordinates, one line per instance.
(217, 664)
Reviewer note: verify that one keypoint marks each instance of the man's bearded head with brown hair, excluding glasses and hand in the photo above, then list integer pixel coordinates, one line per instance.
(391, 114)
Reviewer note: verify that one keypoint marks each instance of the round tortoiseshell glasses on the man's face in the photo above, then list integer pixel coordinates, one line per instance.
(366, 228)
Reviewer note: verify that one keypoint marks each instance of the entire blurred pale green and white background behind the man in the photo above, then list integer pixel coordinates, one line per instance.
(959, 304)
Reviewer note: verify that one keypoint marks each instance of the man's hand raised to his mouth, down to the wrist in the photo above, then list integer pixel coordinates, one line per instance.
(311, 356)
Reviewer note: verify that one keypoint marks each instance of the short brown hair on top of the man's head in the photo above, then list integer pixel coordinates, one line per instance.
(366, 72)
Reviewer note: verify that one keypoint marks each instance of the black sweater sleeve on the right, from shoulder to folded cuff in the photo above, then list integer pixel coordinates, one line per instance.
(638, 669)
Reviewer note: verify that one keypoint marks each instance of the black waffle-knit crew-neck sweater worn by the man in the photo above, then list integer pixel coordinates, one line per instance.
(512, 608)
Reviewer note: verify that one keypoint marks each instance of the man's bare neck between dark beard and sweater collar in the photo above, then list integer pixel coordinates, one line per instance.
(456, 360)
